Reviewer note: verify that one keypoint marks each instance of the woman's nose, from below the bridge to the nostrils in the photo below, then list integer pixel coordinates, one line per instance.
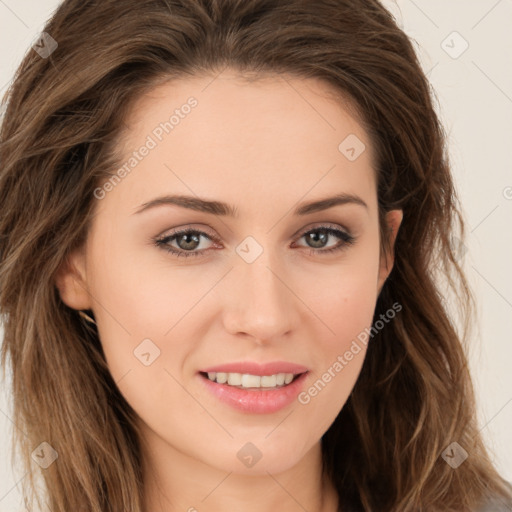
(259, 302)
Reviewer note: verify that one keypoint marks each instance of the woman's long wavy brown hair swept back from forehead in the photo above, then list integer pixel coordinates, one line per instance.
(58, 141)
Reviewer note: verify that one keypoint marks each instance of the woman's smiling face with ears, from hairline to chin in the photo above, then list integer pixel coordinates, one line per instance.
(265, 281)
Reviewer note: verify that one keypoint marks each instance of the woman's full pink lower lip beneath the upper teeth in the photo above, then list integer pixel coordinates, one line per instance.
(260, 401)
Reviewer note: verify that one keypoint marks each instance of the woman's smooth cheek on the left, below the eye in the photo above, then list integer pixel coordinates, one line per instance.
(140, 326)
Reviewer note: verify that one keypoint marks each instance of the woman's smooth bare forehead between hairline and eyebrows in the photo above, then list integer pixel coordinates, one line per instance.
(229, 137)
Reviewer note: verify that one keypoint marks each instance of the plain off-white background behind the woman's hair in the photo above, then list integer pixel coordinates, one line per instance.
(475, 104)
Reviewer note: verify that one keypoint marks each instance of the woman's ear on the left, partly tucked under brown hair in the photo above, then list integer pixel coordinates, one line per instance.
(71, 281)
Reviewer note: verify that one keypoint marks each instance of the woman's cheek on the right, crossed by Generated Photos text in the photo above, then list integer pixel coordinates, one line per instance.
(346, 307)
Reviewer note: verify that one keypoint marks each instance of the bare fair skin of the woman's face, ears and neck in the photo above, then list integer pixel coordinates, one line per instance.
(263, 147)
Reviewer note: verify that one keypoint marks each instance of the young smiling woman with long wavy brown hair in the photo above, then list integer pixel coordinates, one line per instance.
(223, 228)
